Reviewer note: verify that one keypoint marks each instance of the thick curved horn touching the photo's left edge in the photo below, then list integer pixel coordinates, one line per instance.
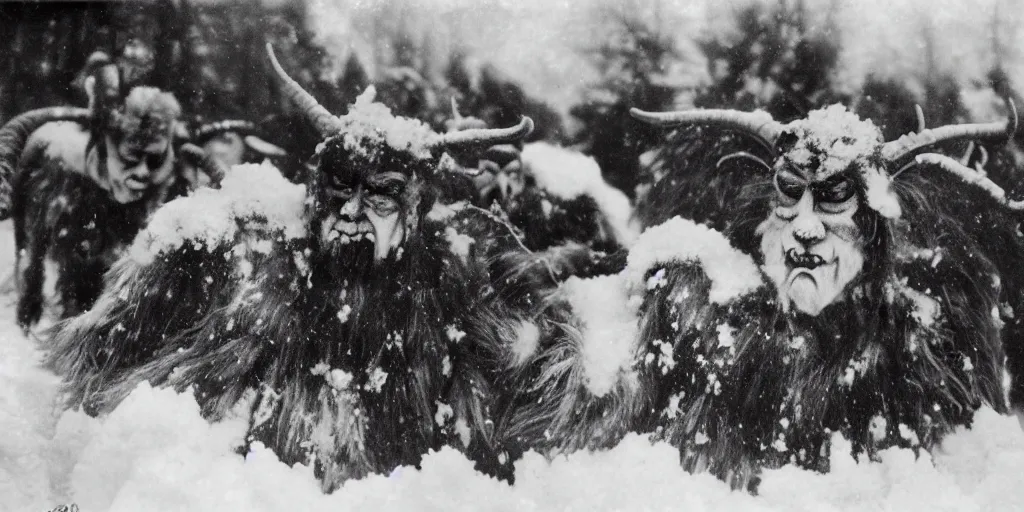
(16, 134)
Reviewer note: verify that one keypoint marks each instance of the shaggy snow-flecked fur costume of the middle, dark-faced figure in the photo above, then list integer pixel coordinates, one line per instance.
(353, 366)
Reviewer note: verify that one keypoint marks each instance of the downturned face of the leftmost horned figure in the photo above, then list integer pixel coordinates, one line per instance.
(137, 167)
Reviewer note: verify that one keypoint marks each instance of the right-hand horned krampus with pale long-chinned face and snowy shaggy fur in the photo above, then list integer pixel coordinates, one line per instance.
(855, 287)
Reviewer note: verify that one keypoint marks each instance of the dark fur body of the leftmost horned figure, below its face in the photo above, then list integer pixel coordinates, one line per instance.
(62, 214)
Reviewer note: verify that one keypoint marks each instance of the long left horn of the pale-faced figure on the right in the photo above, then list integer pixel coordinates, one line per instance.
(760, 125)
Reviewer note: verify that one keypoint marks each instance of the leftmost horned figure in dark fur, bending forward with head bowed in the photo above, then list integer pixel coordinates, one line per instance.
(84, 187)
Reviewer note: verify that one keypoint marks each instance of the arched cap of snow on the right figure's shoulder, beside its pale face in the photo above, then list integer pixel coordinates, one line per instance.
(732, 273)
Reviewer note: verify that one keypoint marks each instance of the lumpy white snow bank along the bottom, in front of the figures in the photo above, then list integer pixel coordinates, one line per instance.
(156, 454)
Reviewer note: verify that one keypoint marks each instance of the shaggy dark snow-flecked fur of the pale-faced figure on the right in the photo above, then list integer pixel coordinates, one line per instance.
(911, 353)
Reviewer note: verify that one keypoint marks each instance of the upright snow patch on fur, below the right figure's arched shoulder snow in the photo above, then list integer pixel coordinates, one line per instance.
(609, 328)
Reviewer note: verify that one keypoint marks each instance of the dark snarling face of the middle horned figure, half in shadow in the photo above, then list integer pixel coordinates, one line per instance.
(366, 210)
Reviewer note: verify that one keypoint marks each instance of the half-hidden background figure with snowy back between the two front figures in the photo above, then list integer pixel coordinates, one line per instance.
(553, 195)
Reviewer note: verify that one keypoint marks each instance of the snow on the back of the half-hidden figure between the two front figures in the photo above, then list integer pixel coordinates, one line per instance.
(568, 175)
